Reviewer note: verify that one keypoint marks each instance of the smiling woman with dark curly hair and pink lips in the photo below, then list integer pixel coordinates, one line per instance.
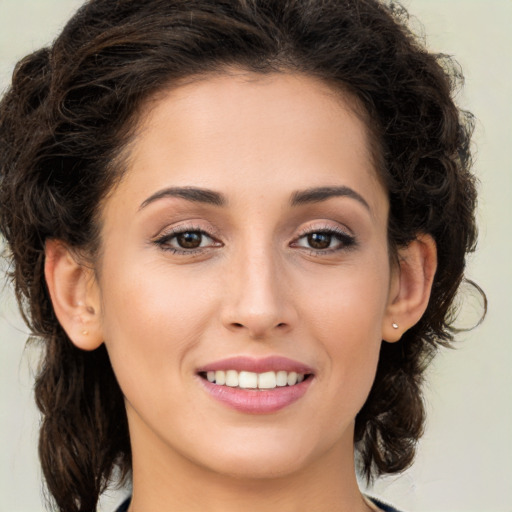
(238, 227)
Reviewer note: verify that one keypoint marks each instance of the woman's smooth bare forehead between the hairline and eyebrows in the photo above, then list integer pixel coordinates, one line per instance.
(262, 132)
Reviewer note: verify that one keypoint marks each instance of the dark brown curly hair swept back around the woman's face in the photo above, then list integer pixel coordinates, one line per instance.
(72, 108)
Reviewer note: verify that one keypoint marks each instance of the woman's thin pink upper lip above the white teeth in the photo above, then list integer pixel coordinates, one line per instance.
(257, 365)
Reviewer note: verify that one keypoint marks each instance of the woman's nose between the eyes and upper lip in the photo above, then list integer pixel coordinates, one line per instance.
(258, 300)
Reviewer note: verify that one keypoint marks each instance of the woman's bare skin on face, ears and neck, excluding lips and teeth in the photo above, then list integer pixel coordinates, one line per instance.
(255, 287)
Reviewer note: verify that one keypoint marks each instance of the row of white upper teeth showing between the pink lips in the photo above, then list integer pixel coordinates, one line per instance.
(251, 380)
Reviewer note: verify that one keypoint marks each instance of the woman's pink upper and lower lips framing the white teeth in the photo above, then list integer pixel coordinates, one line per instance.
(253, 401)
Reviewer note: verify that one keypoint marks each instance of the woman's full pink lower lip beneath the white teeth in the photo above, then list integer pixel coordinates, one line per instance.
(253, 401)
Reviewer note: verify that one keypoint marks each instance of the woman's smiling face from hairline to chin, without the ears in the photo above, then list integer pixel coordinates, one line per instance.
(245, 275)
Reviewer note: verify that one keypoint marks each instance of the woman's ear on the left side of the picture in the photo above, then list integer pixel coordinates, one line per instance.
(75, 295)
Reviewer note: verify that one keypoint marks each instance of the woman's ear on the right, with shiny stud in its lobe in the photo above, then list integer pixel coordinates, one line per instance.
(411, 284)
